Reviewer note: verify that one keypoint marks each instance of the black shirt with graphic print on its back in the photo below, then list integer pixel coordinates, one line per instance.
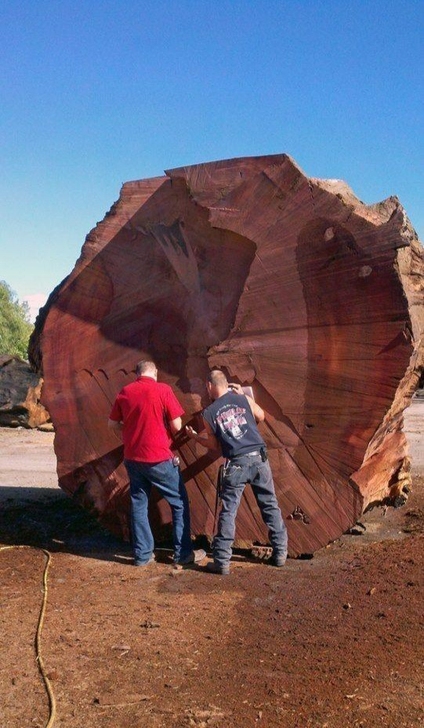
(233, 424)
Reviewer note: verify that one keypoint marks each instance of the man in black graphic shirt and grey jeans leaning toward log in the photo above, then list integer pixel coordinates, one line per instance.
(230, 423)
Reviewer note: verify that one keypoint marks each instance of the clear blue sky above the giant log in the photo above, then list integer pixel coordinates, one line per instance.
(97, 93)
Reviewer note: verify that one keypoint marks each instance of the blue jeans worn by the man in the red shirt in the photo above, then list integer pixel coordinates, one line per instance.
(168, 480)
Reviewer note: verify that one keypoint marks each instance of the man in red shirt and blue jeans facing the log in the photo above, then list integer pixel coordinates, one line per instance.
(147, 412)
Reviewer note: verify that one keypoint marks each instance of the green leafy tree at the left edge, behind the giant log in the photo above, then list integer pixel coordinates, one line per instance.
(15, 325)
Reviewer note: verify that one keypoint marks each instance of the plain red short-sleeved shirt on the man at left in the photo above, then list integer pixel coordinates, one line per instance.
(146, 407)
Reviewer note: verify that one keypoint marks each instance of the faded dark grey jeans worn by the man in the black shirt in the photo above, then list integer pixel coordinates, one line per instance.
(240, 471)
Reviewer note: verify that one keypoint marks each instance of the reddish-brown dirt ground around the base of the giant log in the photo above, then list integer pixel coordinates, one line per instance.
(329, 642)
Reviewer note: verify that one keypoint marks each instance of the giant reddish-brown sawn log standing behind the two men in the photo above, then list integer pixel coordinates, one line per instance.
(291, 285)
